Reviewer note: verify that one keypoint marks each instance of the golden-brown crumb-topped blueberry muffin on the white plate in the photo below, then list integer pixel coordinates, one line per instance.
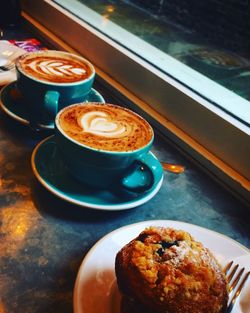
(165, 270)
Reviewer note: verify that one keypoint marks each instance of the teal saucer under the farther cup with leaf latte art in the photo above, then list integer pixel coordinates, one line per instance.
(13, 105)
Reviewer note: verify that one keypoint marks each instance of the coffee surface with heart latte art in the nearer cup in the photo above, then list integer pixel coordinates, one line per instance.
(105, 127)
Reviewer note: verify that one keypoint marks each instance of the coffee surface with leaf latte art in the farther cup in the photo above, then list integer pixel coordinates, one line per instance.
(54, 68)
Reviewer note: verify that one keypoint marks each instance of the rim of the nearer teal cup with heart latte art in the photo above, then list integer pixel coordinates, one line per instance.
(59, 128)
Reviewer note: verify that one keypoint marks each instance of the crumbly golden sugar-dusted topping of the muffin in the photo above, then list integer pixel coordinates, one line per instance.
(169, 258)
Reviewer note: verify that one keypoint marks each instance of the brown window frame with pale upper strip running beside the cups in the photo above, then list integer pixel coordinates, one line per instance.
(182, 115)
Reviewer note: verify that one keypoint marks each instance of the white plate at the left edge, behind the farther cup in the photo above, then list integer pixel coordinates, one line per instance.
(8, 53)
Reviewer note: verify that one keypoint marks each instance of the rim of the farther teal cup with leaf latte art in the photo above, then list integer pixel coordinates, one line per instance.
(23, 56)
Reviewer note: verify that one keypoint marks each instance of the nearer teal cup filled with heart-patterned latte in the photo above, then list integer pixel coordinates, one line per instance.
(107, 146)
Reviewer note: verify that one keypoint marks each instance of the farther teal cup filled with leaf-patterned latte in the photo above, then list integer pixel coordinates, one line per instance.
(49, 80)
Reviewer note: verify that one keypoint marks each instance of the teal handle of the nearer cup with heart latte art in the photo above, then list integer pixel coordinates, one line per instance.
(145, 172)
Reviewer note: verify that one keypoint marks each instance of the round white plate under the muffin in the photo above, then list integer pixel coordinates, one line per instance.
(95, 288)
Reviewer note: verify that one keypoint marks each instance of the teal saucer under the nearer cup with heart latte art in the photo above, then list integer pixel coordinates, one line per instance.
(50, 171)
